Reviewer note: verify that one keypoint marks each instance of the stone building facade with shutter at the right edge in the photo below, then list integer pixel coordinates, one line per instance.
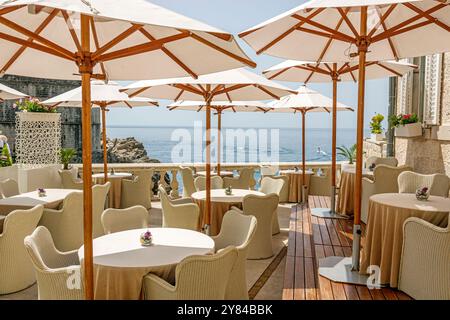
(426, 92)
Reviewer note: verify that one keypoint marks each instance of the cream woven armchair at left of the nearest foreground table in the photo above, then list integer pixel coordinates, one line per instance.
(58, 274)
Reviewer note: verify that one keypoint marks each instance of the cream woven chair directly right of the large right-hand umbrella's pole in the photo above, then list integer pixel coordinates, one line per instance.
(386, 178)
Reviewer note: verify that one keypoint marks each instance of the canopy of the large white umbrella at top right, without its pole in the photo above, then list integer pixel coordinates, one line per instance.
(329, 30)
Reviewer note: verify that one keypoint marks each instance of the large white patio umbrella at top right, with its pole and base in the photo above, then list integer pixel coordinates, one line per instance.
(340, 30)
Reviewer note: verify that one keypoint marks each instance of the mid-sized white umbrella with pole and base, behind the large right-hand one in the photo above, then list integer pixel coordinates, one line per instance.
(307, 72)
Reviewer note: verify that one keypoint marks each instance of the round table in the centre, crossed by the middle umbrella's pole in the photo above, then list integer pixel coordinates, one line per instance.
(220, 204)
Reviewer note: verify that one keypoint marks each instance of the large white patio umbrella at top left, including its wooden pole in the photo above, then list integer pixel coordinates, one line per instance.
(107, 39)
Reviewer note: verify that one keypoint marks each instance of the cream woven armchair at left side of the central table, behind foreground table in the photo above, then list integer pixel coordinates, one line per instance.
(181, 213)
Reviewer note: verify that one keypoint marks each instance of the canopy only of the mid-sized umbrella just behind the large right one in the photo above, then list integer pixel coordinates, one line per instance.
(306, 72)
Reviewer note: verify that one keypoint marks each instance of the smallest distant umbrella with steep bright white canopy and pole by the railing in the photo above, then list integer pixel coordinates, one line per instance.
(306, 101)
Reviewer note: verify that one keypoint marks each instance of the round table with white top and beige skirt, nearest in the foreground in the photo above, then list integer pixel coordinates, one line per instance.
(121, 262)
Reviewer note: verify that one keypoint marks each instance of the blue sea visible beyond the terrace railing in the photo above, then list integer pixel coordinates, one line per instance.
(160, 143)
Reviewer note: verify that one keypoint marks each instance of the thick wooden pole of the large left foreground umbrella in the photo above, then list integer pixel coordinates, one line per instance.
(86, 69)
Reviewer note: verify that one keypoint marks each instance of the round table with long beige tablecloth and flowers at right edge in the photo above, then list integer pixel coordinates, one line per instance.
(384, 233)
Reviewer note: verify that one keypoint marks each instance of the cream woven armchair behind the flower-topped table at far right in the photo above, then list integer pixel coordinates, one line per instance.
(409, 182)
